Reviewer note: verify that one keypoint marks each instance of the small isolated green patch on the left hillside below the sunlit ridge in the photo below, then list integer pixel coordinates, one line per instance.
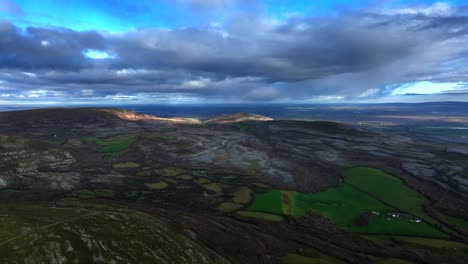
(113, 144)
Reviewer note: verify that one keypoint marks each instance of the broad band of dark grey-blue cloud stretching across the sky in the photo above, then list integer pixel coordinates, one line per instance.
(252, 58)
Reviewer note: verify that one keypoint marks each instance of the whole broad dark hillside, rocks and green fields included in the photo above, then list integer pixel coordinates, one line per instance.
(233, 183)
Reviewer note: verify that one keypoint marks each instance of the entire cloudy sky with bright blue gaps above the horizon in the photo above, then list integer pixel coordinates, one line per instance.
(69, 52)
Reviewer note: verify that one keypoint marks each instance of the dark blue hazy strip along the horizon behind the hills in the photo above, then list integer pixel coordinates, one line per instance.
(337, 112)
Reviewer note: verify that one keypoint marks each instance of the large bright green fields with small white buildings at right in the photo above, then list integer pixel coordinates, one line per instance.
(349, 202)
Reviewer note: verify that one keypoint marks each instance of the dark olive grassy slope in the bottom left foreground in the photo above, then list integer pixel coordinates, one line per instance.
(34, 234)
